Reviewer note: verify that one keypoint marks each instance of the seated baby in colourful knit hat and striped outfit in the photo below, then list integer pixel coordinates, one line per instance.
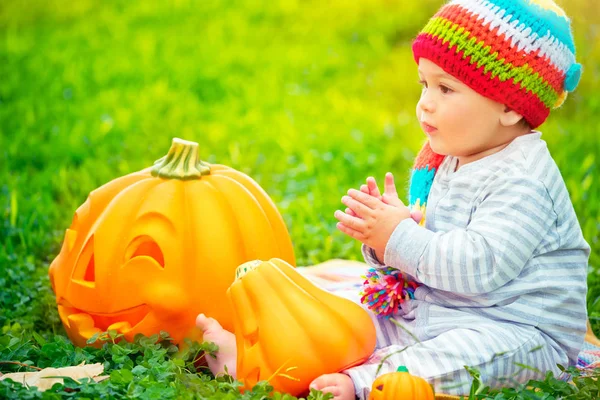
(498, 259)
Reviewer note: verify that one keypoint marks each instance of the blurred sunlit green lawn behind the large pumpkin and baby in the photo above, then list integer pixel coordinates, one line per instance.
(309, 98)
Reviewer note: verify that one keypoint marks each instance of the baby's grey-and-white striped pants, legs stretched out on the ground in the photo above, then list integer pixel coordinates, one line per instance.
(436, 343)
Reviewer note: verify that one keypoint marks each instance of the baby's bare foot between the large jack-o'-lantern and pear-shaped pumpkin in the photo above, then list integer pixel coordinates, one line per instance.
(226, 356)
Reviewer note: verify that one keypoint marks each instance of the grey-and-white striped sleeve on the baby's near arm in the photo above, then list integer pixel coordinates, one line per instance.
(503, 234)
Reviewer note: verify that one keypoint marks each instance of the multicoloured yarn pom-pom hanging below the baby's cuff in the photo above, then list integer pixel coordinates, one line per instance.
(385, 289)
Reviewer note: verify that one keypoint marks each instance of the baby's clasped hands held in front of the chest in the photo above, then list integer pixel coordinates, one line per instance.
(372, 218)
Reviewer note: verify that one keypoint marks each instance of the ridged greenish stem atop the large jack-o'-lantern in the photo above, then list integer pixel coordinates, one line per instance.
(181, 162)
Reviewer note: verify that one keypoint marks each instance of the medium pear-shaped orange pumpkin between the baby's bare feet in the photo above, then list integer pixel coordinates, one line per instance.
(289, 331)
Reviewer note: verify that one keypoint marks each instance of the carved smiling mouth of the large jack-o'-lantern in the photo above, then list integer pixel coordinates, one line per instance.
(89, 323)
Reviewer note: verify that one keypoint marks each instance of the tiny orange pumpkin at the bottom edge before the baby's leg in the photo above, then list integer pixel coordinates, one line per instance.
(401, 385)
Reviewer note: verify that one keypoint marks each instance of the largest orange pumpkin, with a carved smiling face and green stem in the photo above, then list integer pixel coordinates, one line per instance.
(149, 251)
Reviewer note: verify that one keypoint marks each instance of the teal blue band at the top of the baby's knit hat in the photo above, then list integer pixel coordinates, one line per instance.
(539, 19)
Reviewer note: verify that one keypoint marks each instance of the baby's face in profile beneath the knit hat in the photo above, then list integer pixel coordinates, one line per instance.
(457, 120)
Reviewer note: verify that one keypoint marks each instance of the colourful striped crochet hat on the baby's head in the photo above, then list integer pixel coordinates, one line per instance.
(517, 52)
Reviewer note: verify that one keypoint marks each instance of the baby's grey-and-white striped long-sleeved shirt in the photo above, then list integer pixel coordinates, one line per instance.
(502, 242)
